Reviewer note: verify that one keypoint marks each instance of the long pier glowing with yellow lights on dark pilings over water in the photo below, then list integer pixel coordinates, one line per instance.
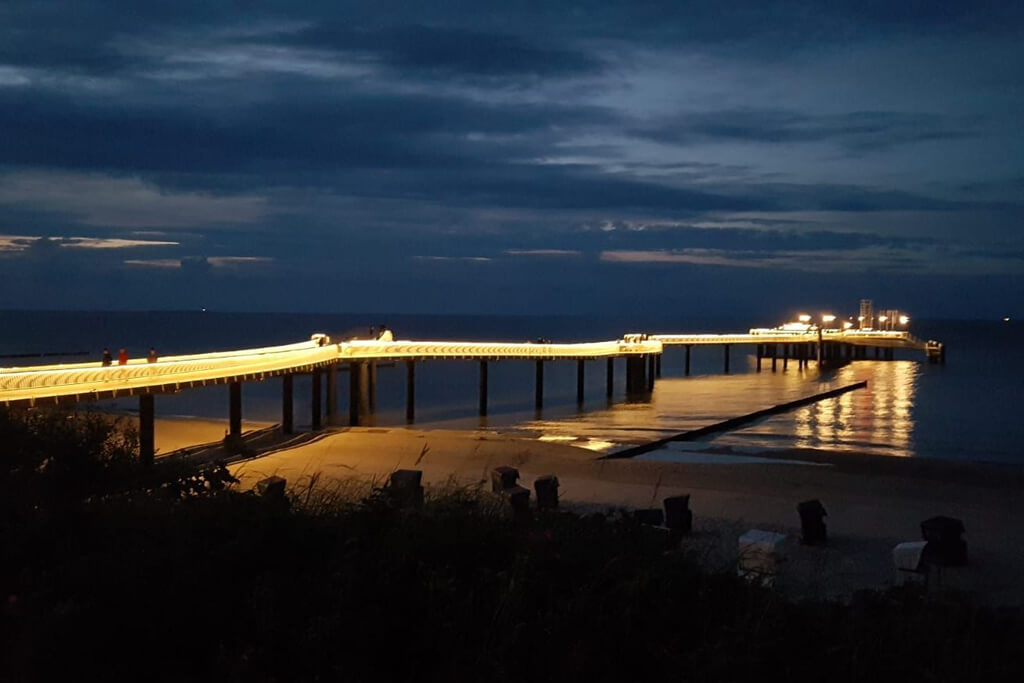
(321, 359)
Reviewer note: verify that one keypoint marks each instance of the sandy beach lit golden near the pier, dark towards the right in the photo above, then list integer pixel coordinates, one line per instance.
(873, 502)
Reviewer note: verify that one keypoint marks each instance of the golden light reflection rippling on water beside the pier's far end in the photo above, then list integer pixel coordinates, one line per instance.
(879, 419)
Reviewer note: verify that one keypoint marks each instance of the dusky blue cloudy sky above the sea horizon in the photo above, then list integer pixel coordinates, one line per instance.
(579, 157)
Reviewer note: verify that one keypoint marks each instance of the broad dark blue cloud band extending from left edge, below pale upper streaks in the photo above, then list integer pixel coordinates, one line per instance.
(325, 130)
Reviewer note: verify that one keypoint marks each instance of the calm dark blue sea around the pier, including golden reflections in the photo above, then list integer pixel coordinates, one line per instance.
(966, 410)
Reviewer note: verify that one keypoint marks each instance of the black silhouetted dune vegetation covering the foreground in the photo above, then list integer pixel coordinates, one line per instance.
(167, 575)
